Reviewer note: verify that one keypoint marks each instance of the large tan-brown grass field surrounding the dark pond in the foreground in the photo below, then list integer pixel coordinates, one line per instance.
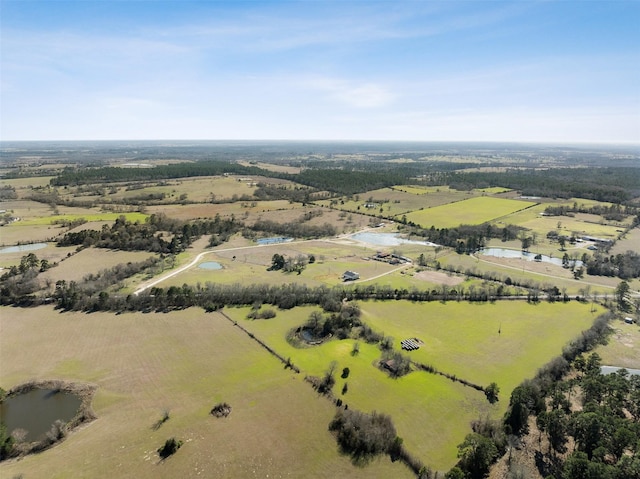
(184, 362)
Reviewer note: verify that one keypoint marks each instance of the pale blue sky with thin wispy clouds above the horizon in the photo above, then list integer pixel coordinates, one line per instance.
(556, 71)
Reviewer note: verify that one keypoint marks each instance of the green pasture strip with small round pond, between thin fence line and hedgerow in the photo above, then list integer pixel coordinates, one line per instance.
(431, 413)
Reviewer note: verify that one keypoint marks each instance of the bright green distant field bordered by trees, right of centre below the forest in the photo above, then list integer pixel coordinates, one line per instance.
(473, 211)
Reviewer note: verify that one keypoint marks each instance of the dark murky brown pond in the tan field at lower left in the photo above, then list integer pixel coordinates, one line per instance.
(36, 410)
